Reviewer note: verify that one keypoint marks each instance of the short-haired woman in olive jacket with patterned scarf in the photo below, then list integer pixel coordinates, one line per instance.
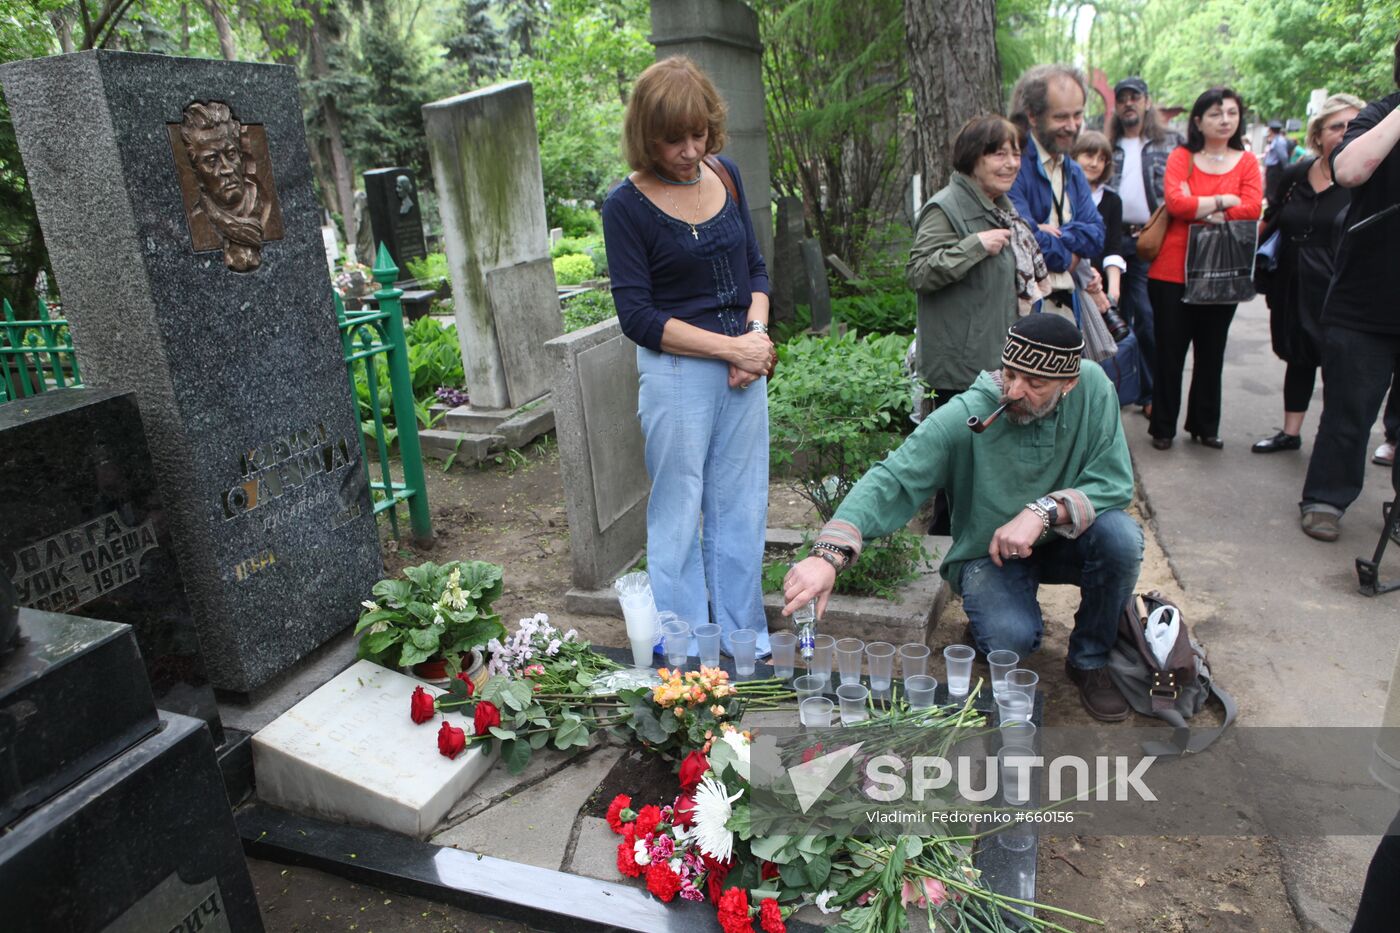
(975, 264)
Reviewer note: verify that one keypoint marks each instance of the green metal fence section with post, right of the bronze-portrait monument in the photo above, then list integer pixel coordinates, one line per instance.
(367, 336)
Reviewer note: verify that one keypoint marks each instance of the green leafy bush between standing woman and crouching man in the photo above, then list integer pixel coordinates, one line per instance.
(836, 407)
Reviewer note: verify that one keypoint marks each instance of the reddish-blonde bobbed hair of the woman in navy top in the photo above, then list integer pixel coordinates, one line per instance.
(670, 100)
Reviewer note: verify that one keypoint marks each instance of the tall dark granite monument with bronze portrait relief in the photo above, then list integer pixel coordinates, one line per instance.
(177, 202)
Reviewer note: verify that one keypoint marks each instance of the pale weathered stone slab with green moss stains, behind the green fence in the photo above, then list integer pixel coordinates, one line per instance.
(486, 170)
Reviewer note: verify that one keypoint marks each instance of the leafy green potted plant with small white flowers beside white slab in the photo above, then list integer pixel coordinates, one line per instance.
(435, 620)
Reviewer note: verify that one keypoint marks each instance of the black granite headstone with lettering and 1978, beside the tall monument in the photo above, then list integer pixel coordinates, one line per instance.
(86, 533)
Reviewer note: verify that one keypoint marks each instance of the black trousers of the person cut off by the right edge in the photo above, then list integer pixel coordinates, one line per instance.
(1357, 369)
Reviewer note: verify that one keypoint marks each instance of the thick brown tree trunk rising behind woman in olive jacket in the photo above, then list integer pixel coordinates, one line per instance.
(955, 75)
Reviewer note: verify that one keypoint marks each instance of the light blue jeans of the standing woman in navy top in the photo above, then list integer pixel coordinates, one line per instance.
(708, 455)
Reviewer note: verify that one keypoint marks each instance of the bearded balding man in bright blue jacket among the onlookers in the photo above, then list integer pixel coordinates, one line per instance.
(1052, 193)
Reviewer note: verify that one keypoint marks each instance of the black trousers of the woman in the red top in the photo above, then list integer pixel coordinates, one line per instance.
(1202, 329)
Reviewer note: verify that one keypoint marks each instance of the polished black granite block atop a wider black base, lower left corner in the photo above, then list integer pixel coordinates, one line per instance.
(72, 697)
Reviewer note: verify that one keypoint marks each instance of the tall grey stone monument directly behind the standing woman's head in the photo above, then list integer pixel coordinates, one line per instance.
(723, 39)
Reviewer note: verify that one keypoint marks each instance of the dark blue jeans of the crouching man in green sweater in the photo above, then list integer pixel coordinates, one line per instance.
(1104, 562)
